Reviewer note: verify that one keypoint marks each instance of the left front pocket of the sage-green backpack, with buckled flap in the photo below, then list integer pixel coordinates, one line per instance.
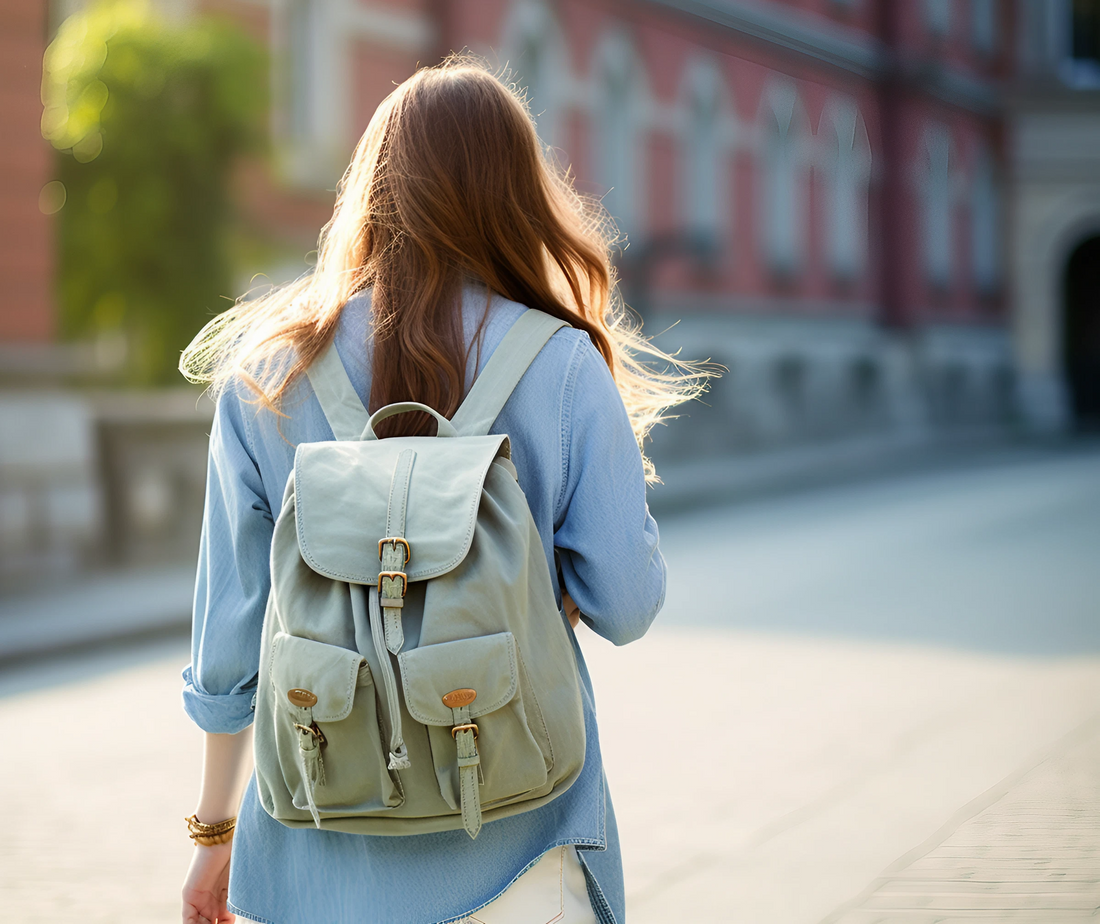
(327, 731)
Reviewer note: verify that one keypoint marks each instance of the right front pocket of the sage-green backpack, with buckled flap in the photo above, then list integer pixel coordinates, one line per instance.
(472, 687)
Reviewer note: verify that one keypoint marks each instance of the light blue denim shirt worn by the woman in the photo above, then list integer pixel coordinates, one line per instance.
(581, 470)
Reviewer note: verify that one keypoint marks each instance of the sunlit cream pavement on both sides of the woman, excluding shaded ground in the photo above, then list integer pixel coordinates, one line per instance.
(780, 782)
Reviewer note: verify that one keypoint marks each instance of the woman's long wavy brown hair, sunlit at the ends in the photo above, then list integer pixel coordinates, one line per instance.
(448, 184)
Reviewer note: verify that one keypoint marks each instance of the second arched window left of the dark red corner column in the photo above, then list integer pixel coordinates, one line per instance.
(783, 188)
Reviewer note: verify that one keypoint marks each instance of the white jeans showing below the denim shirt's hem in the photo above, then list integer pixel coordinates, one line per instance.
(554, 892)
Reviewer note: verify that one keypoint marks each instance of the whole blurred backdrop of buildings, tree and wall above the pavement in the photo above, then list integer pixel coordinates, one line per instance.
(883, 217)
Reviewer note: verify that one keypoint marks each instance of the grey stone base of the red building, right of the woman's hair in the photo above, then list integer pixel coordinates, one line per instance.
(800, 382)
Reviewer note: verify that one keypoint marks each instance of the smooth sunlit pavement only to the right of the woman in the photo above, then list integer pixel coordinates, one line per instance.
(798, 771)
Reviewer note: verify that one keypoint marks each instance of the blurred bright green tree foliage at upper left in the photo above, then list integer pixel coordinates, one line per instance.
(149, 119)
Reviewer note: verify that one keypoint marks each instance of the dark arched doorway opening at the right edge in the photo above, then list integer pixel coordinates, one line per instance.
(1082, 332)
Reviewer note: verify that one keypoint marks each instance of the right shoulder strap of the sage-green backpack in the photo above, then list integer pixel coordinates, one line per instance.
(502, 373)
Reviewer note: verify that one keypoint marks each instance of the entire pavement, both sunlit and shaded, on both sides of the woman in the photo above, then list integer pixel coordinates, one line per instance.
(866, 705)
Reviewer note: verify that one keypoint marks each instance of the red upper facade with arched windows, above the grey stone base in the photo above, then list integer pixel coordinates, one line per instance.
(816, 144)
